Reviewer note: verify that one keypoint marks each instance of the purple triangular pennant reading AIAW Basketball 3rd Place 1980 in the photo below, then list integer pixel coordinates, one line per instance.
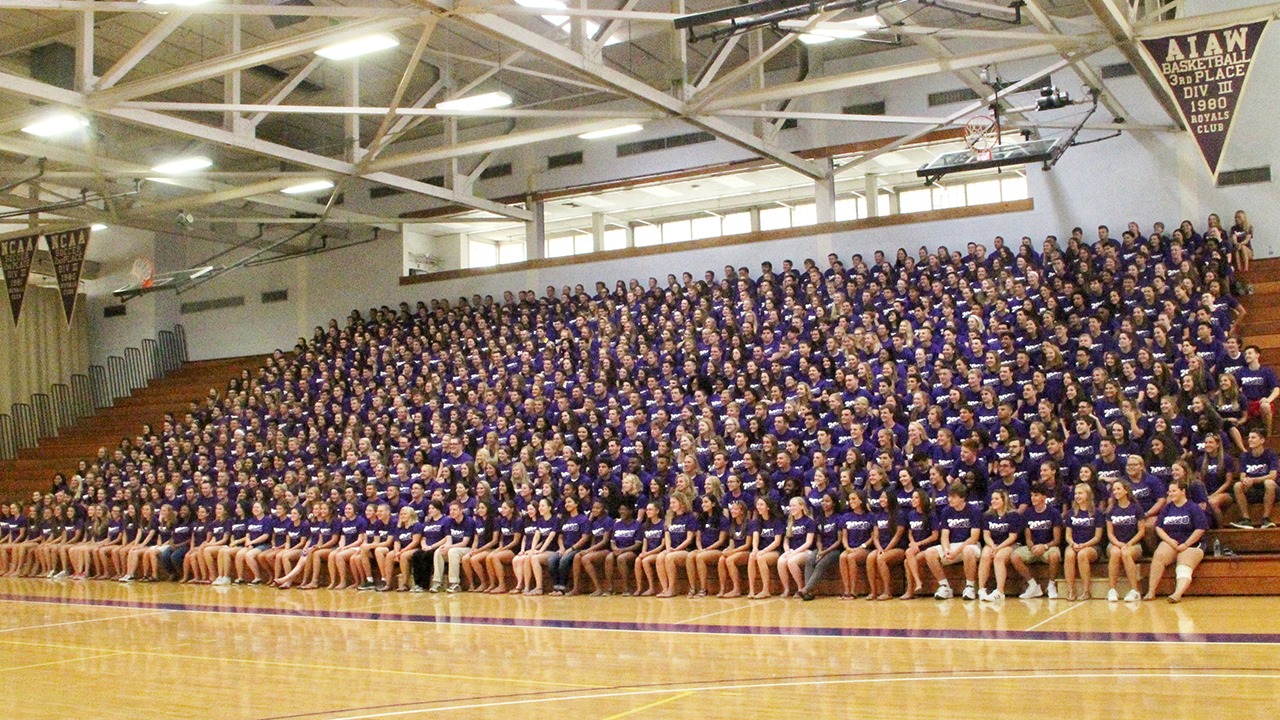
(1206, 71)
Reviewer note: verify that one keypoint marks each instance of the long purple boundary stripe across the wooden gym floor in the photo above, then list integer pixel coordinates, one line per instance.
(939, 634)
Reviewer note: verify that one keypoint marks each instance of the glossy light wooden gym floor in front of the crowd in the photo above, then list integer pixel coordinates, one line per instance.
(157, 651)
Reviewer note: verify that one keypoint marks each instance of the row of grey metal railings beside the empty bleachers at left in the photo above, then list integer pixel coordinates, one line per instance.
(65, 404)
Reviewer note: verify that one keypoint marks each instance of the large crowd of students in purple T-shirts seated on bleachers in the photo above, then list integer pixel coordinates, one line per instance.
(995, 409)
